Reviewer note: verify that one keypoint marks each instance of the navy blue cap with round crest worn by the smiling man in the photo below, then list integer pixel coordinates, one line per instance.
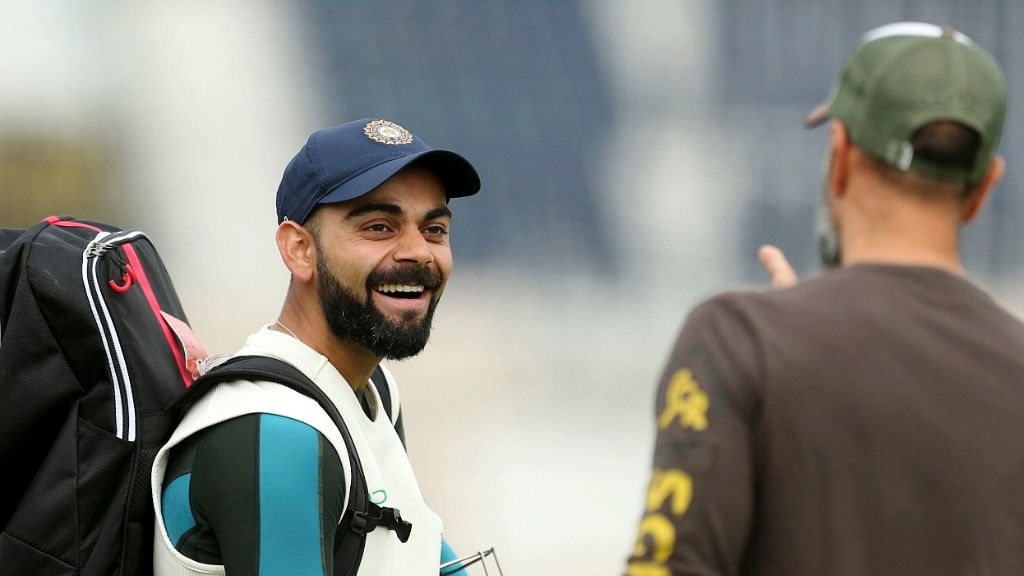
(348, 161)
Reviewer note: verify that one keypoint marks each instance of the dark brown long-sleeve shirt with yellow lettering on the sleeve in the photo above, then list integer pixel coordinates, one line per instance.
(867, 423)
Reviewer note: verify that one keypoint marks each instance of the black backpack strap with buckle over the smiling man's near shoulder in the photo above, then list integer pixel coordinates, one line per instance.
(362, 516)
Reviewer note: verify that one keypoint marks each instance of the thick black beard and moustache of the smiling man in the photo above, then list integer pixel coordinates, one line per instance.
(365, 324)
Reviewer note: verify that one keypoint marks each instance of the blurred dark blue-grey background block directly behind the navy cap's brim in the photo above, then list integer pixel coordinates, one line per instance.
(516, 87)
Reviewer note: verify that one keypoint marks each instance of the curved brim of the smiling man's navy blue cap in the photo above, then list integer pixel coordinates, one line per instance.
(456, 174)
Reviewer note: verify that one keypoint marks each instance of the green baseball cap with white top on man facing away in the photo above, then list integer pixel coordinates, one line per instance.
(907, 75)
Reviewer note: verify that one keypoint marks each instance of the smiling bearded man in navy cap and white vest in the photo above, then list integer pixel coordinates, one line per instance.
(257, 478)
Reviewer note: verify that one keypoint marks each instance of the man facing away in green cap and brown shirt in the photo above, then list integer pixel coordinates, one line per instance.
(869, 421)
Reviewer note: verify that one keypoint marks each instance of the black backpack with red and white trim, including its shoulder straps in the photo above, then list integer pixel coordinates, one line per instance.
(94, 378)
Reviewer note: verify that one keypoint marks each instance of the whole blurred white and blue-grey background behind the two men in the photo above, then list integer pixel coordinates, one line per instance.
(634, 155)
